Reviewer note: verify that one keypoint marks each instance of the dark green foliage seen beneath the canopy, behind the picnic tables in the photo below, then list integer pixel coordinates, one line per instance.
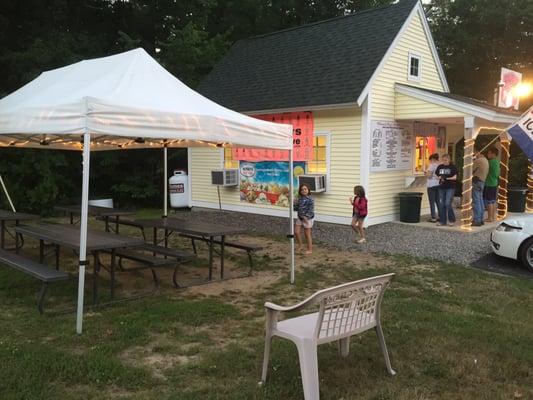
(38, 180)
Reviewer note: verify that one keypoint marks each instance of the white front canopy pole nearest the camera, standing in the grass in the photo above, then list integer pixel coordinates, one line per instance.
(83, 229)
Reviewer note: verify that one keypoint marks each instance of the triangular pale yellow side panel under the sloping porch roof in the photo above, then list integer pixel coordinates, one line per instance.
(407, 107)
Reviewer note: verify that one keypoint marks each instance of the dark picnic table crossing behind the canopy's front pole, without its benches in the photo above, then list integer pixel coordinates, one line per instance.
(68, 236)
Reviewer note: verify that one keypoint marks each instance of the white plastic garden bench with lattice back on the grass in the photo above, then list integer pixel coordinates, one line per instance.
(344, 311)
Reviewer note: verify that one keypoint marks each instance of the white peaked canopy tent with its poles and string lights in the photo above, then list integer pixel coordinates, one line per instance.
(125, 101)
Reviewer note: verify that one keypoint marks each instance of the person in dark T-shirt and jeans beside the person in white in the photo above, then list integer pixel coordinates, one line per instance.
(447, 173)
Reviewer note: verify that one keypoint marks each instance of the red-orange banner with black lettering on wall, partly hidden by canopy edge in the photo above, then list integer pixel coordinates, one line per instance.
(302, 134)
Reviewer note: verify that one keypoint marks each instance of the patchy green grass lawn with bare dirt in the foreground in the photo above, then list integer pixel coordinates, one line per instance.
(452, 332)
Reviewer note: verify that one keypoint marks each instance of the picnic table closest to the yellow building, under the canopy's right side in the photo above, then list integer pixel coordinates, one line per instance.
(208, 231)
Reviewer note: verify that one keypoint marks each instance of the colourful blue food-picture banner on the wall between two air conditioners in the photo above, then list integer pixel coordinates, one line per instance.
(267, 182)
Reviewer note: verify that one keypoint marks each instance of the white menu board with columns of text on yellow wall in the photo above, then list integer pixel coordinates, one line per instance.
(392, 146)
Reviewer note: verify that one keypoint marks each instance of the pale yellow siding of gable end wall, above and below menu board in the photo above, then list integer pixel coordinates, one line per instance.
(384, 186)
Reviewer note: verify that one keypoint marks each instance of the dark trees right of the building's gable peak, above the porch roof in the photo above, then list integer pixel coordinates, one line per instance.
(475, 38)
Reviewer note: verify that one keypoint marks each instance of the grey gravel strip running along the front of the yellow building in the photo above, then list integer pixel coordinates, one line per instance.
(392, 238)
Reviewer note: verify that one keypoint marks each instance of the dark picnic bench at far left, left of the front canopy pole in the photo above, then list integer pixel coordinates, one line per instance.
(37, 270)
